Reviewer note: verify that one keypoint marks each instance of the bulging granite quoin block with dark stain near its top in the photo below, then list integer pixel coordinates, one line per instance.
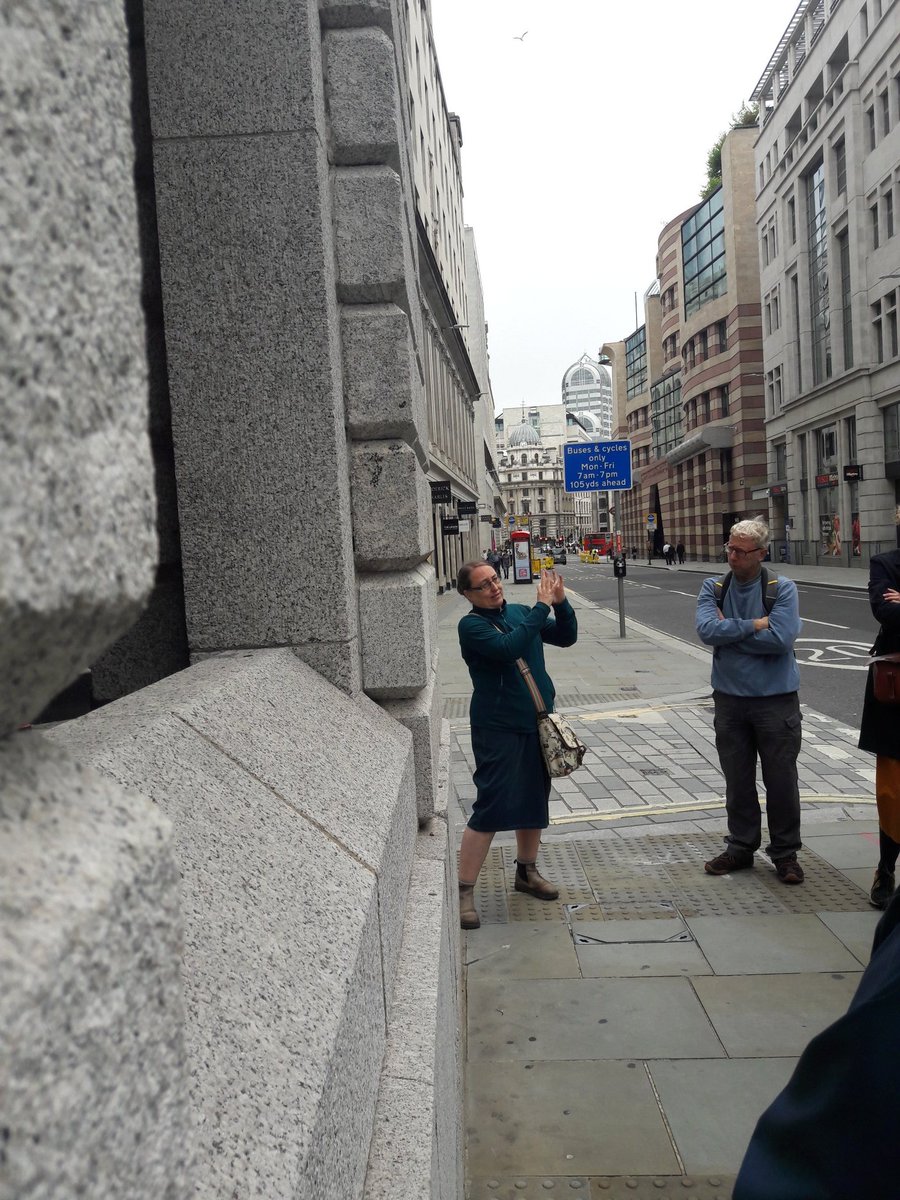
(392, 507)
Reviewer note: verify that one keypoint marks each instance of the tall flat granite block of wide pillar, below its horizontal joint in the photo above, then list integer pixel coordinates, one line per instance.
(255, 373)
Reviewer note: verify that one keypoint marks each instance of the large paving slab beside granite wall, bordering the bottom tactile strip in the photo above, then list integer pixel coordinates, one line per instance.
(569, 1119)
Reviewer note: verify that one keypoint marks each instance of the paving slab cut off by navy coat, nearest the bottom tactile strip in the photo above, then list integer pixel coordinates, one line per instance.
(713, 1106)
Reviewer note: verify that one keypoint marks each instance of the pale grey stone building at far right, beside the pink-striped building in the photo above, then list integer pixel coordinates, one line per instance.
(829, 197)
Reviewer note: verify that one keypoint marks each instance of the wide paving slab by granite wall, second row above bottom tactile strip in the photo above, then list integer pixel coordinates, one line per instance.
(587, 1019)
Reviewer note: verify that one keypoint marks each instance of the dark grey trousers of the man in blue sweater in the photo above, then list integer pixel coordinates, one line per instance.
(769, 727)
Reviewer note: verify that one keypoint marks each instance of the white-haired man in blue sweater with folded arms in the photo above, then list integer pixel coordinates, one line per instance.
(758, 711)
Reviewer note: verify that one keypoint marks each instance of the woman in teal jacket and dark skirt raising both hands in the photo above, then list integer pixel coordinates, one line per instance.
(512, 779)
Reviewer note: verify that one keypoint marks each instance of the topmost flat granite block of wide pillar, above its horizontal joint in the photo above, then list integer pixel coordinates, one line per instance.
(255, 69)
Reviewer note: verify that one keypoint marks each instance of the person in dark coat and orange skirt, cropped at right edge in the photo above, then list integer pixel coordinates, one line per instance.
(880, 728)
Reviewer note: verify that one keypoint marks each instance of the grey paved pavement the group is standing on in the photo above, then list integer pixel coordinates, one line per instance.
(623, 1041)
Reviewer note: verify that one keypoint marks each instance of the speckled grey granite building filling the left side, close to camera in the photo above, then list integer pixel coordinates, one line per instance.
(229, 959)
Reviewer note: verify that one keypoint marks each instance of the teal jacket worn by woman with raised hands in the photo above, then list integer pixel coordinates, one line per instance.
(491, 640)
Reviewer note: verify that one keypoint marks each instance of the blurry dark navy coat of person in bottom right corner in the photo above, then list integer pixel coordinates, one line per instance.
(833, 1132)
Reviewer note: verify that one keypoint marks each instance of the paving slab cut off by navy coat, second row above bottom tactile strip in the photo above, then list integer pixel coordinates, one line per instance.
(773, 1016)
